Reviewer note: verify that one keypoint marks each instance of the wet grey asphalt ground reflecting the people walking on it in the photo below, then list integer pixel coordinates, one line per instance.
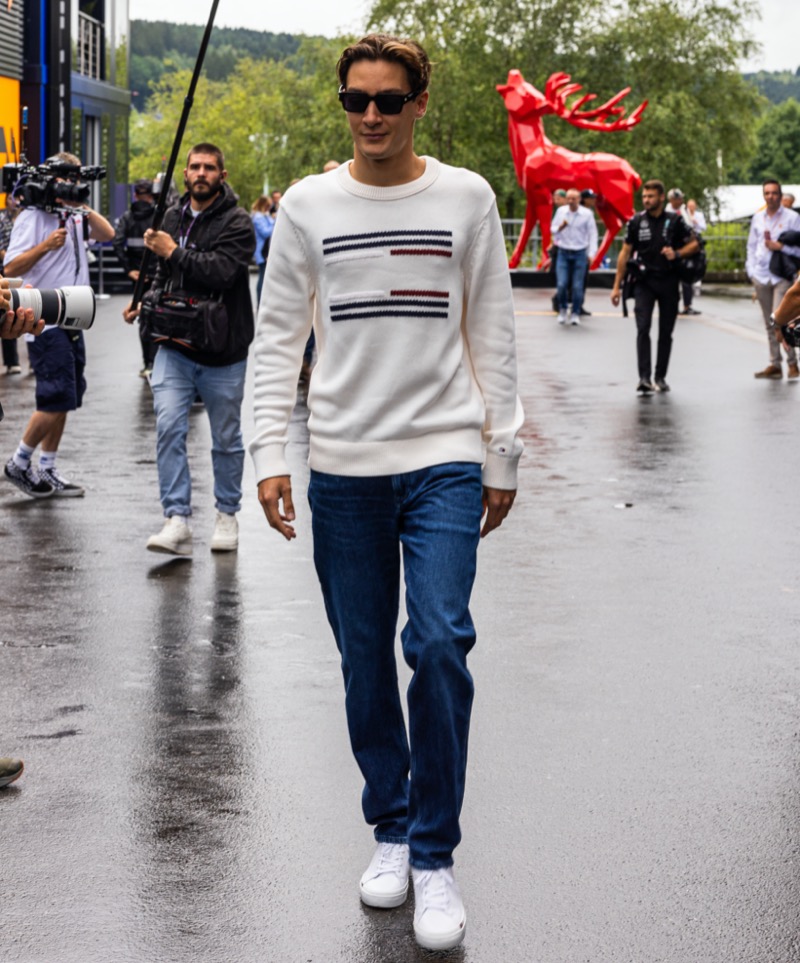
(633, 787)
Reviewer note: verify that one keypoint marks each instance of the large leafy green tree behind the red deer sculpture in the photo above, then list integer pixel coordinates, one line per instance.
(681, 57)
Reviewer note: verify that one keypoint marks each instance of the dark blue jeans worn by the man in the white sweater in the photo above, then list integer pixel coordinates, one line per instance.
(414, 782)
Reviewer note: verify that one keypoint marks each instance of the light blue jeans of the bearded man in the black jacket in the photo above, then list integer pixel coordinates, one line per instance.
(176, 381)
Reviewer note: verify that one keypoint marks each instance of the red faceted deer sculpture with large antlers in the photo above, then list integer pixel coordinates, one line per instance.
(543, 167)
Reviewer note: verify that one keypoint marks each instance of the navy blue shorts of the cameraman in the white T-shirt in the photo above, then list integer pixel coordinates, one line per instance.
(58, 358)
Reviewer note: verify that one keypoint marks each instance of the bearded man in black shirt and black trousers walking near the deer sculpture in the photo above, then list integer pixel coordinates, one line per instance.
(657, 239)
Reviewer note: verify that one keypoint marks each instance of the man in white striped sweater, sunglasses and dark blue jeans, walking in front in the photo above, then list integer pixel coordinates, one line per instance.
(398, 263)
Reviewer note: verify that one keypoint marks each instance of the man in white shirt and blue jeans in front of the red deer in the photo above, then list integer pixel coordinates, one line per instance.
(575, 235)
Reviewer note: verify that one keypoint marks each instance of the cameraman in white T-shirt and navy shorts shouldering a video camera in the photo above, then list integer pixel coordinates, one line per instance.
(48, 249)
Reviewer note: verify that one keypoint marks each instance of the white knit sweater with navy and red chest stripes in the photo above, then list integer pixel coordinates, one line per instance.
(409, 294)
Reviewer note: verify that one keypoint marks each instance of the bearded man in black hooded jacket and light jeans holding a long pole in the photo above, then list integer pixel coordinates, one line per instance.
(204, 252)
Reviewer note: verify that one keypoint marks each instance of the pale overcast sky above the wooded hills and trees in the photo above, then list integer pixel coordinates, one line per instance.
(778, 31)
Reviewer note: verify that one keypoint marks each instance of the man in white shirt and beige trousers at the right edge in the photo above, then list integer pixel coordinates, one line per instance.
(765, 229)
